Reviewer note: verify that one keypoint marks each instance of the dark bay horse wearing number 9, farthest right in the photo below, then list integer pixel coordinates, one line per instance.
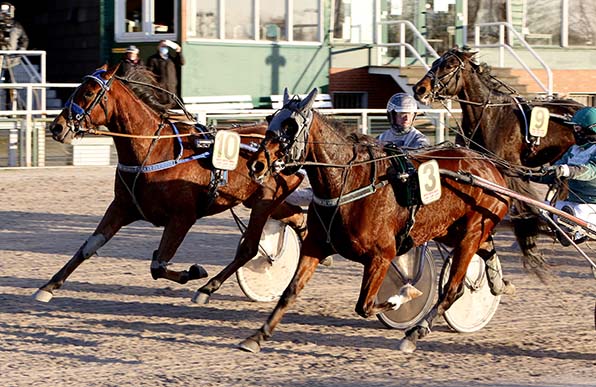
(496, 120)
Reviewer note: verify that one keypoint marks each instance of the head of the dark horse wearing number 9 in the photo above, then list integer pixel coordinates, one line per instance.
(444, 79)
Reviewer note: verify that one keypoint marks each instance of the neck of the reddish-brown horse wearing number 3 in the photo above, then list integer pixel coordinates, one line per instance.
(327, 146)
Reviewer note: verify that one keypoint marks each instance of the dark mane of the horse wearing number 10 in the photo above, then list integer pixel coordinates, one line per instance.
(142, 82)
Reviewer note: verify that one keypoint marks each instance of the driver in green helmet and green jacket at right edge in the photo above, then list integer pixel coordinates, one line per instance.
(578, 163)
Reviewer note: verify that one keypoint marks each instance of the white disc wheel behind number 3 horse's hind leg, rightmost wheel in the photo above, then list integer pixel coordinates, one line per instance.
(476, 307)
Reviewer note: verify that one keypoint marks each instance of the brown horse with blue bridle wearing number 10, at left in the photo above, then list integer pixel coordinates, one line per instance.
(162, 178)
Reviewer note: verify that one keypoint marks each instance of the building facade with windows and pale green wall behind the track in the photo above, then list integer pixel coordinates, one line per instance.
(258, 47)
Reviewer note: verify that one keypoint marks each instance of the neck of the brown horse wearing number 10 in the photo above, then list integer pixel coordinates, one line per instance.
(129, 115)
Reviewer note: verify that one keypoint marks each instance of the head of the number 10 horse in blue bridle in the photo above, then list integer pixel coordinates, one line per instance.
(86, 108)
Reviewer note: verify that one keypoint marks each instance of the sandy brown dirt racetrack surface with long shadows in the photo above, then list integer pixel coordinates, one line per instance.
(112, 325)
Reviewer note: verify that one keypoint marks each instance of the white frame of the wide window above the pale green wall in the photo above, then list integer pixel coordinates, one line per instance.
(289, 17)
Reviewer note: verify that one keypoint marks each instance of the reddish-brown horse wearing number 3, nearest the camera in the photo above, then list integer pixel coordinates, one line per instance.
(356, 214)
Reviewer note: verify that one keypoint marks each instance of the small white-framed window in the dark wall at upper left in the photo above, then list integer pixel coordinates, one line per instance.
(149, 20)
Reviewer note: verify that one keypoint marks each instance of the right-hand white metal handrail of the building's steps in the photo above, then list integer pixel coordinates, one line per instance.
(502, 45)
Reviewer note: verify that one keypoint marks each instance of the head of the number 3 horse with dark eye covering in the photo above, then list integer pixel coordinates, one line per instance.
(286, 138)
